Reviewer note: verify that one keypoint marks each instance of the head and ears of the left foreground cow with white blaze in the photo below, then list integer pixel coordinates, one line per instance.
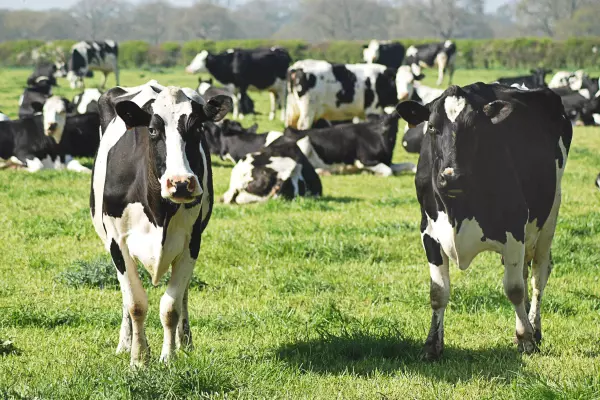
(174, 124)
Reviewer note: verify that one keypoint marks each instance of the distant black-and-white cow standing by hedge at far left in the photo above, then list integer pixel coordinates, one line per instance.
(87, 56)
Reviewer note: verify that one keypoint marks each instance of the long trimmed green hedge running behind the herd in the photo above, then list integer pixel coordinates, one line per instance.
(487, 53)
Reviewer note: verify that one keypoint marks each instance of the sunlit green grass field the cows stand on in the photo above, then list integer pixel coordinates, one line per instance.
(324, 298)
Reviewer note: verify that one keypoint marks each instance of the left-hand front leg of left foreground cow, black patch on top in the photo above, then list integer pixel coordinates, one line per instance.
(135, 301)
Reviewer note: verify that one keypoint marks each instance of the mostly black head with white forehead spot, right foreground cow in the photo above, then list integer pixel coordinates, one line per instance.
(455, 127)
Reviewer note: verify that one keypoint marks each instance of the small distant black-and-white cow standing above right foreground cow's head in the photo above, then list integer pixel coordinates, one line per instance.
(428, 55)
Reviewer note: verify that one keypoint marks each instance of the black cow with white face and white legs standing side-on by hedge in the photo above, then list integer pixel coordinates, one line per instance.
(260, 69)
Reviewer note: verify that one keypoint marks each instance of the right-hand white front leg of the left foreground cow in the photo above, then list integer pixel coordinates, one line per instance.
(171, 303)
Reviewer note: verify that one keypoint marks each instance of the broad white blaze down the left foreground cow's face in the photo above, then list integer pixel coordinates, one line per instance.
(170, 105)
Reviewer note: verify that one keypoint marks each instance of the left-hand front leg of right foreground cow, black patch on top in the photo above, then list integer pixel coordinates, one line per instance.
(439, 294)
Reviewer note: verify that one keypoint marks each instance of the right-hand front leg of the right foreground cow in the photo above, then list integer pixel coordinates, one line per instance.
(514, 287)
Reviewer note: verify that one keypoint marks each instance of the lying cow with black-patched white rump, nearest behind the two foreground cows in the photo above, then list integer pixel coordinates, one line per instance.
(277, 170)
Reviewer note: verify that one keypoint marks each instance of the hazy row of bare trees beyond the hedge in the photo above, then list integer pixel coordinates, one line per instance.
(158, 21)
